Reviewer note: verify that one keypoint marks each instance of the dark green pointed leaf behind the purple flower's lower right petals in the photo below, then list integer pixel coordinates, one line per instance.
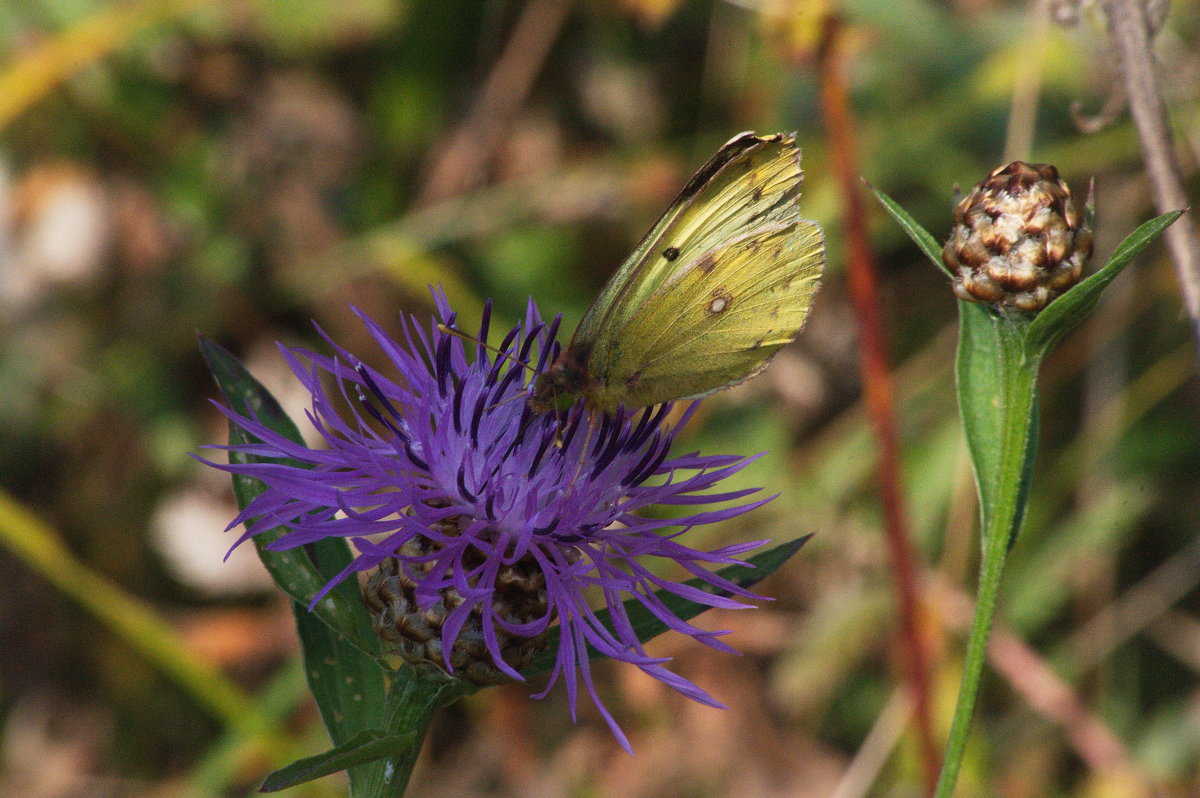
(647, 626)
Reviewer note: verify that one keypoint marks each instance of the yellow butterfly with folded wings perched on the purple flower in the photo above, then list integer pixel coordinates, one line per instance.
(719, 285)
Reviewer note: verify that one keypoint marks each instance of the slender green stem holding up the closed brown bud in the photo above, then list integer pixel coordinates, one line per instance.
(1017, 410)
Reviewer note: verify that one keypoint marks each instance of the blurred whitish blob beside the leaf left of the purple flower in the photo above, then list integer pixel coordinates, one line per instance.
(187, 531)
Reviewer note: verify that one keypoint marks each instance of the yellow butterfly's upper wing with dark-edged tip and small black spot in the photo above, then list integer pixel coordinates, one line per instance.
(751, 184)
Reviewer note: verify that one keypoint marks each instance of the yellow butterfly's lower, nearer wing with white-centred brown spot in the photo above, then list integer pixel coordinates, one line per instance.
(716, 322)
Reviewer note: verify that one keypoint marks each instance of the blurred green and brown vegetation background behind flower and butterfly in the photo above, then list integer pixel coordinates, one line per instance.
(242, 169)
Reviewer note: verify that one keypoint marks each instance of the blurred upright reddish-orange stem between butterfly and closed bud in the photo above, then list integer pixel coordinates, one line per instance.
(878, 386)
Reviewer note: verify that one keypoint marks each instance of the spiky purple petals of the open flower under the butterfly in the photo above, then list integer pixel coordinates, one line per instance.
(448, 437)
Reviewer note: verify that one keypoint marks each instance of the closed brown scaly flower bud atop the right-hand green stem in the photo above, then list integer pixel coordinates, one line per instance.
(1018, 241)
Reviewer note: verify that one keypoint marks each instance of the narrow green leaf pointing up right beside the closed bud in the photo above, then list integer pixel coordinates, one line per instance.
(1070, 310)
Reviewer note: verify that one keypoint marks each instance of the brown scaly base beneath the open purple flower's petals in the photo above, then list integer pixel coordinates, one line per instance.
(416, 634)
